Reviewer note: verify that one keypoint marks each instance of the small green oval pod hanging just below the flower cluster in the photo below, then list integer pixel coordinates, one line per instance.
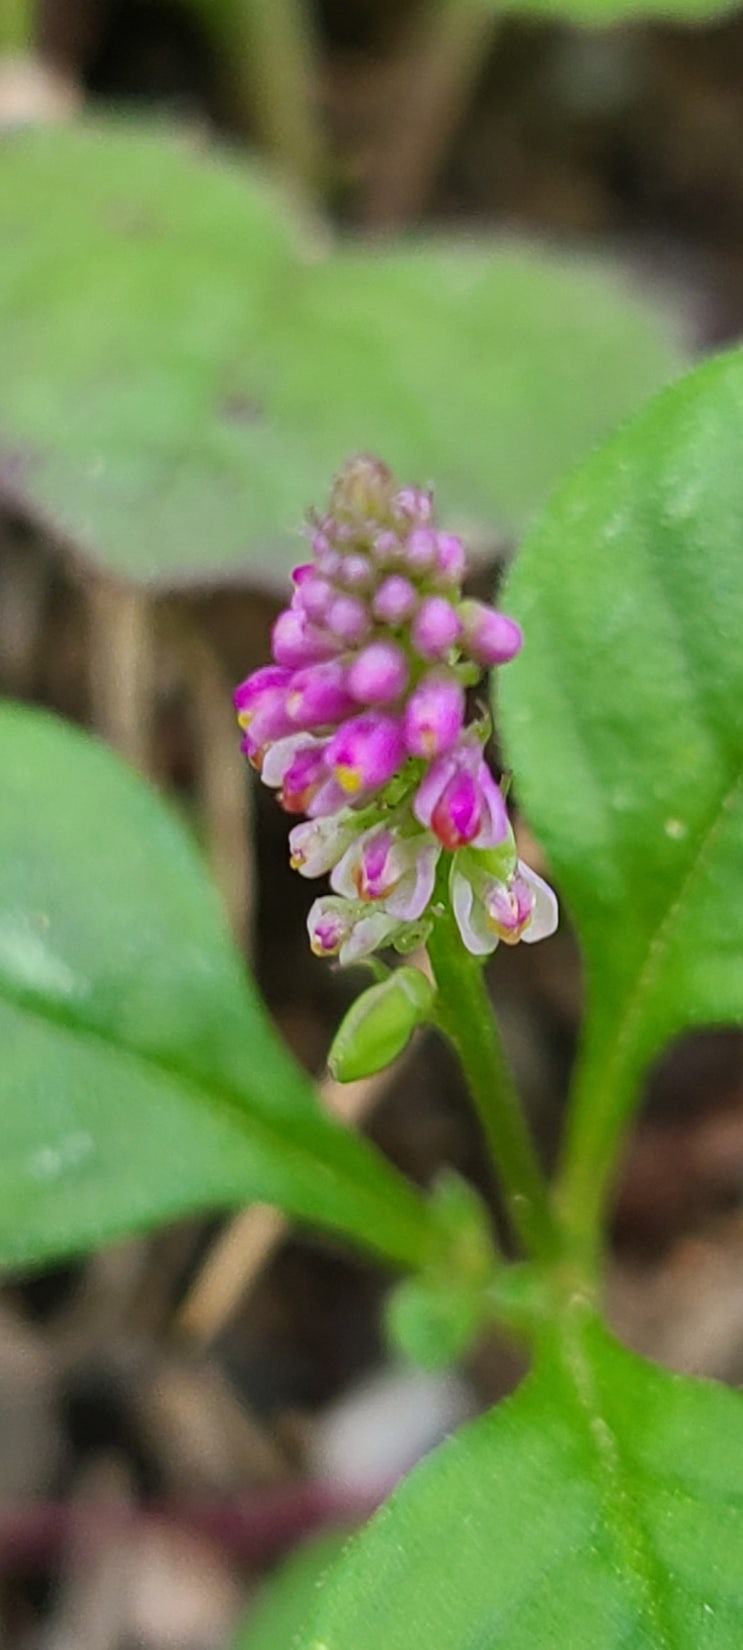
(381, 1024)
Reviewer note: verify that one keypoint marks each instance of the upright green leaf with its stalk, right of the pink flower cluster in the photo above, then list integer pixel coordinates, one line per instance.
(625, 724)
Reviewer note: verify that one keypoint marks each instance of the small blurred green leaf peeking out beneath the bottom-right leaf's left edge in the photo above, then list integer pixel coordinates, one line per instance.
(288, 1598)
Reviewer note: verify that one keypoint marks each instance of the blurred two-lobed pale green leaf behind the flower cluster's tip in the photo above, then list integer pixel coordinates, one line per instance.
(181, 379)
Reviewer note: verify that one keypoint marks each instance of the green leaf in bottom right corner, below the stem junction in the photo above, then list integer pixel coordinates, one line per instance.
(600, 1509)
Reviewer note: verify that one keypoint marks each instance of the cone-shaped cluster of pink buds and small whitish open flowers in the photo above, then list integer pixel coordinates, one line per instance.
(361, 724)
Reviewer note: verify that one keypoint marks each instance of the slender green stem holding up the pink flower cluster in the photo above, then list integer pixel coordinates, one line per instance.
(466, 1017)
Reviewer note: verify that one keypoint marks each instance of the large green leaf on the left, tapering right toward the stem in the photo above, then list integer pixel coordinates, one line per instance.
(141, 1077)
